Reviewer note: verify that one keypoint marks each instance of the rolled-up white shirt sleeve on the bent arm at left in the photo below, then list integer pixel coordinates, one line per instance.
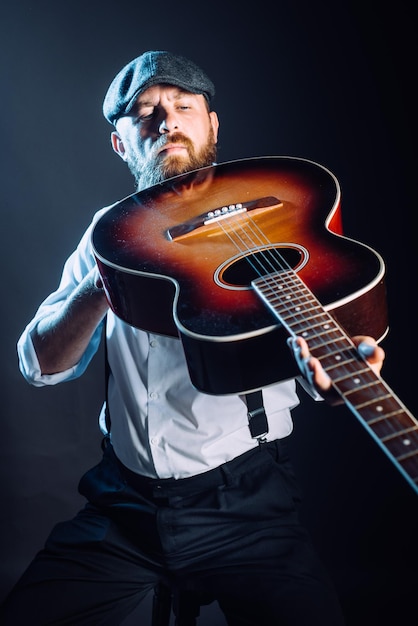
(75, 269)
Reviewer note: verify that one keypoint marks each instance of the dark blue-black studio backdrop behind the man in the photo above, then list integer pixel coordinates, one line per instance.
(327, 81)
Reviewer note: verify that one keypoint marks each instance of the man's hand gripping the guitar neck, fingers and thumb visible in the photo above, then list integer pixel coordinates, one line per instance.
(313, 371)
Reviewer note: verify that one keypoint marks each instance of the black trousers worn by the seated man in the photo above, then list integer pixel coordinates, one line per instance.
(232, 532)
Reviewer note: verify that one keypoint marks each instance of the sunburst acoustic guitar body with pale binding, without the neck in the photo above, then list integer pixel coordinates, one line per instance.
(175, 262)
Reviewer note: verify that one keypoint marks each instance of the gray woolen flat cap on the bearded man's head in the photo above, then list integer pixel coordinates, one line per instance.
(153, 68)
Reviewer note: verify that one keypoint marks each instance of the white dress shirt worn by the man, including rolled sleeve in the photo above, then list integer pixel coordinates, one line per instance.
(161, 426)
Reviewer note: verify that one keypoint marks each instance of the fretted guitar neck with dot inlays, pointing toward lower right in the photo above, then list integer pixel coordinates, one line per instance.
(371, 400)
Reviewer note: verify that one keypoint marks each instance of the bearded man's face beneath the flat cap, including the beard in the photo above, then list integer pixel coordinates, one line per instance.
(167, 132)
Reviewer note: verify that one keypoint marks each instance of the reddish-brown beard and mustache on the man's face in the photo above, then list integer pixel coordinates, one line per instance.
(155, 170)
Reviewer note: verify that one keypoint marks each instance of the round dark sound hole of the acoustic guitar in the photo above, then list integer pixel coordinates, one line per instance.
(242, 271)
